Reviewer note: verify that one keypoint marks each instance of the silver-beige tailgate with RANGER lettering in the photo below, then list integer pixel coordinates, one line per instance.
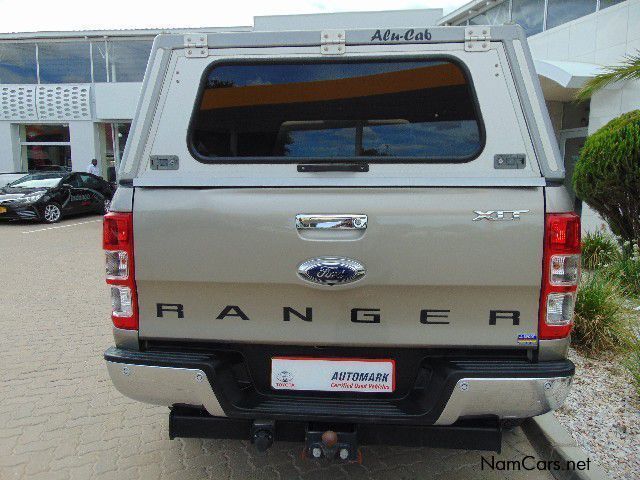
(221, 265)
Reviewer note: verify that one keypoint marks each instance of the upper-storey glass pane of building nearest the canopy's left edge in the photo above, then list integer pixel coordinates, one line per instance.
(128, 59)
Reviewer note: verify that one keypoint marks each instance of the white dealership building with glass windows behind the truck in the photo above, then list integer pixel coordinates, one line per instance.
(68, 97)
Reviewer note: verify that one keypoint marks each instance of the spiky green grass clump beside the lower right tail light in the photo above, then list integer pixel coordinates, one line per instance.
(600, 323)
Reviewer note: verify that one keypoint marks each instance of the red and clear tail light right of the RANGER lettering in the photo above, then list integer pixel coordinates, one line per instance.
(560, 274)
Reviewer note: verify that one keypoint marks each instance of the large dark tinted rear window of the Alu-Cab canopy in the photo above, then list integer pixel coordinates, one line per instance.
(423, 110)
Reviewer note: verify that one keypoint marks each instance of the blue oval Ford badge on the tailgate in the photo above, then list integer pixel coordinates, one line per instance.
(330, 271)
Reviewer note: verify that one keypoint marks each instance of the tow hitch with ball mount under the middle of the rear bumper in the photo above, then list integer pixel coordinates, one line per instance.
(332, 445)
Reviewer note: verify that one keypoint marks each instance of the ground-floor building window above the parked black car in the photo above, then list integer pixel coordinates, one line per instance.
(46, 147)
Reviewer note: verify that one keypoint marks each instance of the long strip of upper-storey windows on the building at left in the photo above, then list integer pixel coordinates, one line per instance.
(74, 61)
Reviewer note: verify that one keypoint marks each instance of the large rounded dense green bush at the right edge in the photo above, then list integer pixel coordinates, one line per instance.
(607, 174)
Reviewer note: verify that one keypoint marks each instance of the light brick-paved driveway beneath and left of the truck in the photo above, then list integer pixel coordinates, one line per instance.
(60, 418)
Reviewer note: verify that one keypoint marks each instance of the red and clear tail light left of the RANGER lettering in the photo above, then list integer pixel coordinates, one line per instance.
(117, 241)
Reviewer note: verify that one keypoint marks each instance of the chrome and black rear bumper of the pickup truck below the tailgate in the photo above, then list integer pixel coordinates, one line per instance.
(457, 390)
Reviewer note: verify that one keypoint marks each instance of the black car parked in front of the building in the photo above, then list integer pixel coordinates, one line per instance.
(48, 196)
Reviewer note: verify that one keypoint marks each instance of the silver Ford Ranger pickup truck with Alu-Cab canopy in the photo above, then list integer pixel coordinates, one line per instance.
(343, 237)
